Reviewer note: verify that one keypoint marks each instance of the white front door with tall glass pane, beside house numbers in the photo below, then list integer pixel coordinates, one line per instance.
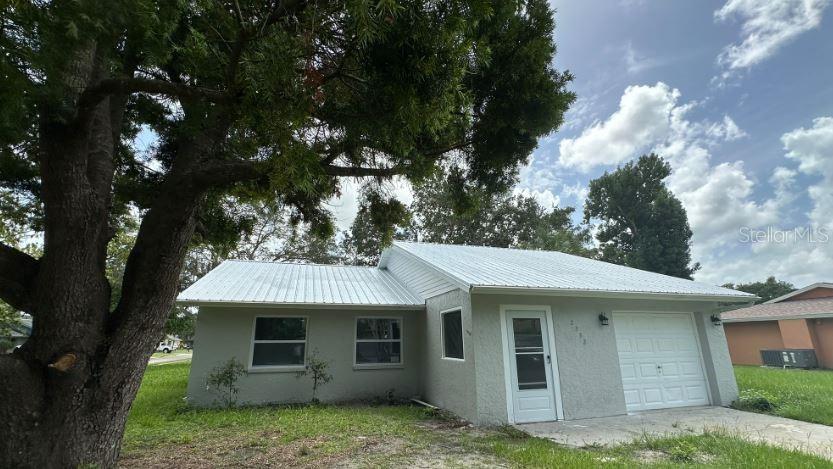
(533, 396)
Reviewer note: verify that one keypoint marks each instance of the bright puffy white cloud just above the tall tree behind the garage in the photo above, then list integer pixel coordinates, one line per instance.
(642, 118)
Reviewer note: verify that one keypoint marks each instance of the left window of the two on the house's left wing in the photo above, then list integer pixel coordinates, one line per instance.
(279, 341)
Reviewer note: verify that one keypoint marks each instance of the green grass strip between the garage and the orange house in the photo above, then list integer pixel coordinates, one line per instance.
(798, 394)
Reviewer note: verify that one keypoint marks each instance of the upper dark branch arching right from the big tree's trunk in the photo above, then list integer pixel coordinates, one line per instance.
(95, 94)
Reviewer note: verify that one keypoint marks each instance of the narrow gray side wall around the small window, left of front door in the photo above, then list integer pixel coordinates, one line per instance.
(449, 384)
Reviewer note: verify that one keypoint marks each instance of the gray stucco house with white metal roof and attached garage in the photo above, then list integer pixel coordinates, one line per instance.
(493, 335)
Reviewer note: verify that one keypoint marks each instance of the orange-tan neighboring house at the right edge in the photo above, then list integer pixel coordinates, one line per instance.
(802, 319)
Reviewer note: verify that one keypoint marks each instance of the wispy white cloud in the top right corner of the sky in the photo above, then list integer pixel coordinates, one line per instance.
(766, 26)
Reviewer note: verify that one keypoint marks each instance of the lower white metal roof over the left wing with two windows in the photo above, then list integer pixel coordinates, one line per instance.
(252, 282)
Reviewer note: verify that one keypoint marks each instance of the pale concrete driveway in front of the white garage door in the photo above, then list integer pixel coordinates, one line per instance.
(778, 431)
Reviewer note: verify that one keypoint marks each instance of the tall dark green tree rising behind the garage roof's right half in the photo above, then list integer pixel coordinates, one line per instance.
(641, 223)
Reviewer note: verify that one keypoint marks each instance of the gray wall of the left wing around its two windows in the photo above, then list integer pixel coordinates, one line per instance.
(226, 332)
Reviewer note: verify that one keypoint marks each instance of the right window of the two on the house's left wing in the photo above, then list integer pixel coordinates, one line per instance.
(378, 341)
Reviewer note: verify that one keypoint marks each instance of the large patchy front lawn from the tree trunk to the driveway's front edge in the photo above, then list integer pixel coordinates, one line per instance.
(162, 430)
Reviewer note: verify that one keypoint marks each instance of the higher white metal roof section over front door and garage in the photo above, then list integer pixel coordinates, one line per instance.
(513, 270)
